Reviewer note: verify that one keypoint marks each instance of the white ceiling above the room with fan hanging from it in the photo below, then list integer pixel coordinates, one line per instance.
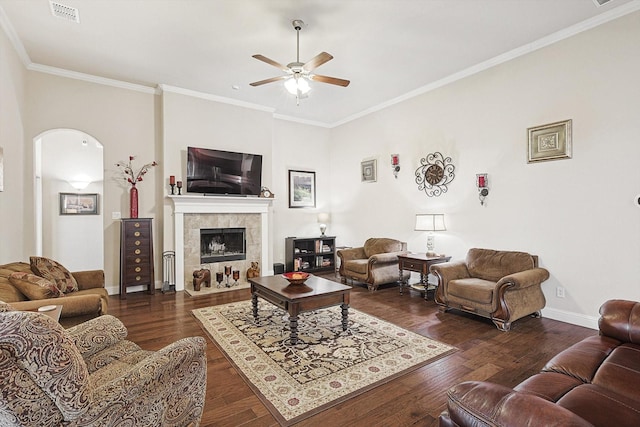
(389, 49)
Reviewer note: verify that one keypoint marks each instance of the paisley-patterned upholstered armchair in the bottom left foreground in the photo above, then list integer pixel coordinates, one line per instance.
(89, 375)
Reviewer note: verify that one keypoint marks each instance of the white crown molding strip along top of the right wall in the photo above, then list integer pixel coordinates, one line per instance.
(500, 59)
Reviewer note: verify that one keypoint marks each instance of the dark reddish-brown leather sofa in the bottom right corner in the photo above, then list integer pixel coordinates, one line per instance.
(595, 382)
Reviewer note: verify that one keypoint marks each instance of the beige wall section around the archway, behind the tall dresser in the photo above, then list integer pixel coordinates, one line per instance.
(125, 122)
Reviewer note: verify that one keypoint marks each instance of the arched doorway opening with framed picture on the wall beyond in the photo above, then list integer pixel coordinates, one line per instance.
(69, 165)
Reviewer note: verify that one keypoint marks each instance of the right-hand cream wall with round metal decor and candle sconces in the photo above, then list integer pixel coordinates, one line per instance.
(578, 215)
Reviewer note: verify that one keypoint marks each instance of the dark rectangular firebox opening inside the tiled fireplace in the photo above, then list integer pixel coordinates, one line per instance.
(222, 244)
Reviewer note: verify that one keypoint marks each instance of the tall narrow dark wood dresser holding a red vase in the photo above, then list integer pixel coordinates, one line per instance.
(136, 254)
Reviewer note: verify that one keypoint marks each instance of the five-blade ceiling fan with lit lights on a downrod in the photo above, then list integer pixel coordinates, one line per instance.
(299, 74)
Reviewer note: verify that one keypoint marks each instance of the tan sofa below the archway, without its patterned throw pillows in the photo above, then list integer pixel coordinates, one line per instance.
(89, 301)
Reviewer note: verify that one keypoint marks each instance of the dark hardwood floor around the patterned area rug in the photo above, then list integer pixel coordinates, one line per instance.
(415, 399)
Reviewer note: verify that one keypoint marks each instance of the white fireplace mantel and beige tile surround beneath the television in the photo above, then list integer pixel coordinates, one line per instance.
(195, 210)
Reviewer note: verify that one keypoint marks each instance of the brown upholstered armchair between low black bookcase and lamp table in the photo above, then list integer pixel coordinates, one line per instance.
(375, 263)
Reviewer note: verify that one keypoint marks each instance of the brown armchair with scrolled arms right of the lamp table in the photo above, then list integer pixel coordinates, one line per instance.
(503, 286)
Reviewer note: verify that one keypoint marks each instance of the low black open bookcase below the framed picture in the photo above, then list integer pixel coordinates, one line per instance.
(310, 254)
